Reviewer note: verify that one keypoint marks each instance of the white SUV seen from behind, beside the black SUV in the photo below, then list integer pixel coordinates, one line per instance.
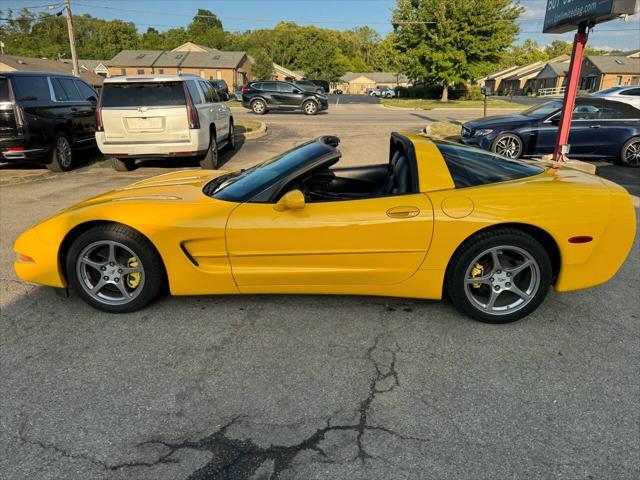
(150, 116)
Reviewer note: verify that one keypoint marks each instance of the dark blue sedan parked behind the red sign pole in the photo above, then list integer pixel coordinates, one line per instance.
(601, 129)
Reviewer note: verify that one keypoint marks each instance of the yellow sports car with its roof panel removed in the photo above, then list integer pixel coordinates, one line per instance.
(439, 218)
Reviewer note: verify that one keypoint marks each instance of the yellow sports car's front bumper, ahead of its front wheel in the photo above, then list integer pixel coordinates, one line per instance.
(44, 268)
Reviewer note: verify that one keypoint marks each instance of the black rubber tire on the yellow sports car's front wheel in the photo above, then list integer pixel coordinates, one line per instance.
(151, 280)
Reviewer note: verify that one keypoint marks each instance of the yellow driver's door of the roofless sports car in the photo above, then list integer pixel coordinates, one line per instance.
(374, 241)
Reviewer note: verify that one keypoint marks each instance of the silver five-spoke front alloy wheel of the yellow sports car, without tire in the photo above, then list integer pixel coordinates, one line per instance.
(110, 272)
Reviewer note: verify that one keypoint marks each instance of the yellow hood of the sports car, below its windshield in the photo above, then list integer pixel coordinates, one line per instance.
(182, 186)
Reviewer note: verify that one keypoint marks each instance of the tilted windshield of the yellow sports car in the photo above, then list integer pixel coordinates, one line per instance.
(243, 185)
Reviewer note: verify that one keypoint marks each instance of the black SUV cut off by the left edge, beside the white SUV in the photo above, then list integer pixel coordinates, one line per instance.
(45, 118)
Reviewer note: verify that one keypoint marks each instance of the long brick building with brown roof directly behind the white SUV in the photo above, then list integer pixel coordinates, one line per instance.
(209, 63)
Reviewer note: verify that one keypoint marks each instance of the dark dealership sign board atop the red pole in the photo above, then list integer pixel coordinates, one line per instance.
(565, 15)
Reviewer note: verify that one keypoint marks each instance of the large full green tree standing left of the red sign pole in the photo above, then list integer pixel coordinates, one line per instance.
(444, 42)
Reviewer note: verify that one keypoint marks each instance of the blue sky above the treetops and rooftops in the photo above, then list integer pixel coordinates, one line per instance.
(238, 15)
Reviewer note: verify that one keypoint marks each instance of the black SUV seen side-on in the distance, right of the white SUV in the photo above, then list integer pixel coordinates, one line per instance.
(263, 96)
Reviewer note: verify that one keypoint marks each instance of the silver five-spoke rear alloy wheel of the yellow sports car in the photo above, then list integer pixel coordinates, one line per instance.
(502, 280)
